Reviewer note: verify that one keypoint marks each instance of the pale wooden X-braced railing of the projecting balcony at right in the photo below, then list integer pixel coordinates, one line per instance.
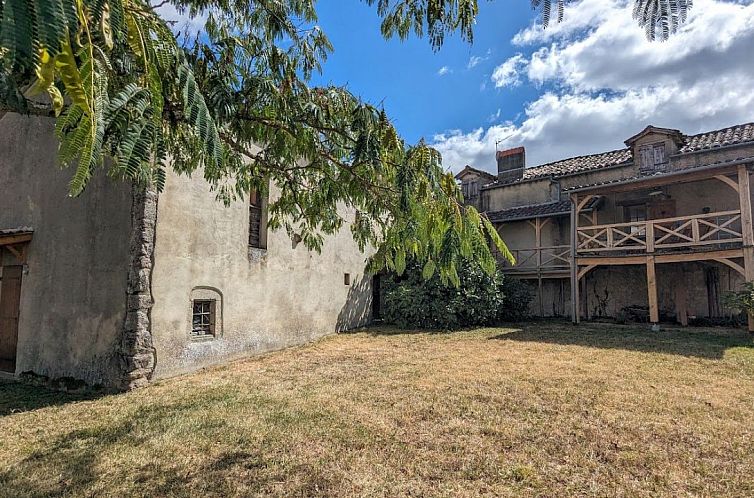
(722, 228)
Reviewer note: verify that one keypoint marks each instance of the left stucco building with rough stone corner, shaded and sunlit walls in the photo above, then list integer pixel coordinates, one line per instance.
(119, 287)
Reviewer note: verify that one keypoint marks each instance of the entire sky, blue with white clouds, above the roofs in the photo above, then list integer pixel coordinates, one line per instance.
(582, 86)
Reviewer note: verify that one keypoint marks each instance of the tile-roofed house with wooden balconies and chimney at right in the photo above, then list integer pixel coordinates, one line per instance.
(655, 231)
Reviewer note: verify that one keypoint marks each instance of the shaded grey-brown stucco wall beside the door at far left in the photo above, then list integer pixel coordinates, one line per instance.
(73, 296)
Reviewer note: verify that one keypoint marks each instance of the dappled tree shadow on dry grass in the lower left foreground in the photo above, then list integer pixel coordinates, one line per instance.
(130, 451)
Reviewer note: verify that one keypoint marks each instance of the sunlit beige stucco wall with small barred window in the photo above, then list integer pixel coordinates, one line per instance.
(287, 297)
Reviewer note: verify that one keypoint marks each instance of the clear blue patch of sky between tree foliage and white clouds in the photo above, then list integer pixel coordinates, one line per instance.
(404, 75)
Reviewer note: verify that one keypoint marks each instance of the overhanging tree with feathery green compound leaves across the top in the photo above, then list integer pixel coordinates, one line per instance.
(234, 103)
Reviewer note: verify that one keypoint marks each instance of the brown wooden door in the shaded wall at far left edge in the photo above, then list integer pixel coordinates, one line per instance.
(10, 301)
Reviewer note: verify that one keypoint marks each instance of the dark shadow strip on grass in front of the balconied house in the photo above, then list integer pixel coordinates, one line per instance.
(700, 343)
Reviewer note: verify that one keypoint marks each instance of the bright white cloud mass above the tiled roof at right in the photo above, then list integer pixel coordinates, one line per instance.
(601, 81)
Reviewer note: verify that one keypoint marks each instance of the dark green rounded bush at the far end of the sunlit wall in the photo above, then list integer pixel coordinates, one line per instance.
(409, 301)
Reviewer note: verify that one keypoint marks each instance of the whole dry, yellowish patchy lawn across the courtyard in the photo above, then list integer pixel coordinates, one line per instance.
(543, 409)
